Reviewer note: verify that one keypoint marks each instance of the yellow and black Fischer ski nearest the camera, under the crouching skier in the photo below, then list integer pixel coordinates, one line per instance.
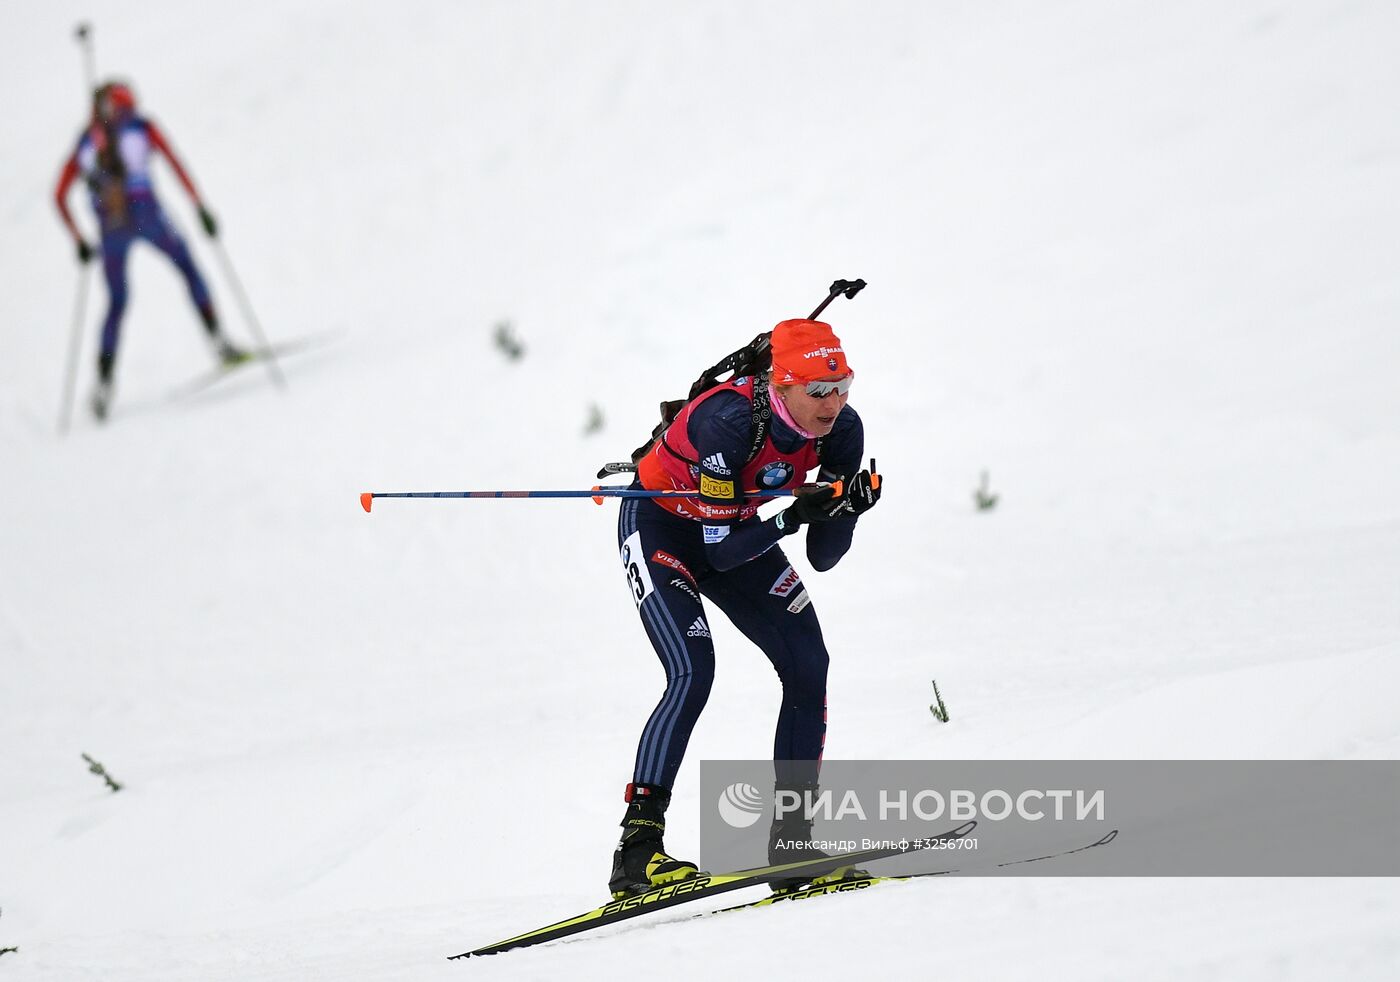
(702, 887)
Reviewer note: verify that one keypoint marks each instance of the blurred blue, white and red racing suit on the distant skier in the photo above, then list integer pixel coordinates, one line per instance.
(115, 163)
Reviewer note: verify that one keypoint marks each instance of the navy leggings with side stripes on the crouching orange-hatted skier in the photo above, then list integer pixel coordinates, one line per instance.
(668, 575)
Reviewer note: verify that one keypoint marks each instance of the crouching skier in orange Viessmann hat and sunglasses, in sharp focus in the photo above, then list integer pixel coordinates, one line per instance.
(677, 551)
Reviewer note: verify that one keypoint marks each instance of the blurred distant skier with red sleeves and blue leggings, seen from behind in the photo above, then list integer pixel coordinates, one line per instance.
(114, 159)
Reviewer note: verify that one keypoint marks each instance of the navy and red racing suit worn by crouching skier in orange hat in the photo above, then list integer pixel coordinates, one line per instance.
(678, 553)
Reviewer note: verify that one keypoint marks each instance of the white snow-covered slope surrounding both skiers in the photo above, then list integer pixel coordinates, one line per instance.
(1136, 260)
